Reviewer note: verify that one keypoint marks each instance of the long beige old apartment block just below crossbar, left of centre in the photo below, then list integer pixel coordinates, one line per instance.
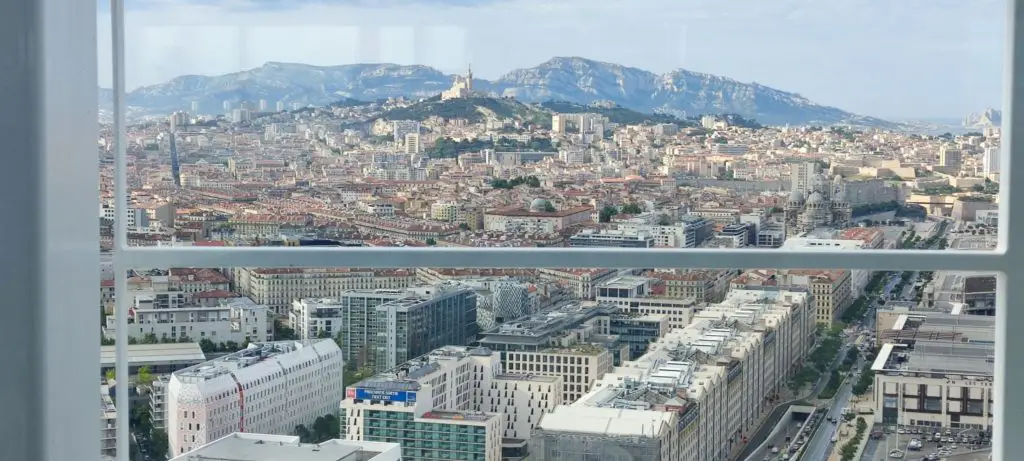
(277, 288)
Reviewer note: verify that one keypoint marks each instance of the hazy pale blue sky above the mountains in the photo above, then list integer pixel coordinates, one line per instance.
(883, 58)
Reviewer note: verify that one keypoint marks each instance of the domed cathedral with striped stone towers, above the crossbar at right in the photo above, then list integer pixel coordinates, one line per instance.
(824, 206)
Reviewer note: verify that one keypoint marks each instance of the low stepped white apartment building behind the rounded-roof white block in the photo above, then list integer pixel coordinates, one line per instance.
(220, 317)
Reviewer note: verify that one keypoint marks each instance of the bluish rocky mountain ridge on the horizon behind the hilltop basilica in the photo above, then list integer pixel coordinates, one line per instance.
(679, 93)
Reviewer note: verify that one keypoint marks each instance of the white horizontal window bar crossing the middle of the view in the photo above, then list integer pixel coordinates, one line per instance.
(560, 258)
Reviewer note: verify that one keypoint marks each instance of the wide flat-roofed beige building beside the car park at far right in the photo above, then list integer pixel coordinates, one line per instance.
(936, 370)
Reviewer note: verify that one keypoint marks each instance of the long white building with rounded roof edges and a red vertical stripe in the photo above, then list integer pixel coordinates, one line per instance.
(269, 388)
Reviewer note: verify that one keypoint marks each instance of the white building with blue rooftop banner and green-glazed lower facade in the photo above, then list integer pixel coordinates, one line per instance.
(433, 406)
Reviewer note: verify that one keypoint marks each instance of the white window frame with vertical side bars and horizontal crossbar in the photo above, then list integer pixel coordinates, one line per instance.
(1009, 369)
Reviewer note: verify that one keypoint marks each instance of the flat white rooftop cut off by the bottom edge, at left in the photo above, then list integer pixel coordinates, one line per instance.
(263, 447)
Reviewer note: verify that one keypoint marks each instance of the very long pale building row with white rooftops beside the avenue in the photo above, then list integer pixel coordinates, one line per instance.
(697, 394)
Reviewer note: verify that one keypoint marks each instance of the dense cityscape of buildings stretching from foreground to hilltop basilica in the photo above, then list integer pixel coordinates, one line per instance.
(254, 364)
